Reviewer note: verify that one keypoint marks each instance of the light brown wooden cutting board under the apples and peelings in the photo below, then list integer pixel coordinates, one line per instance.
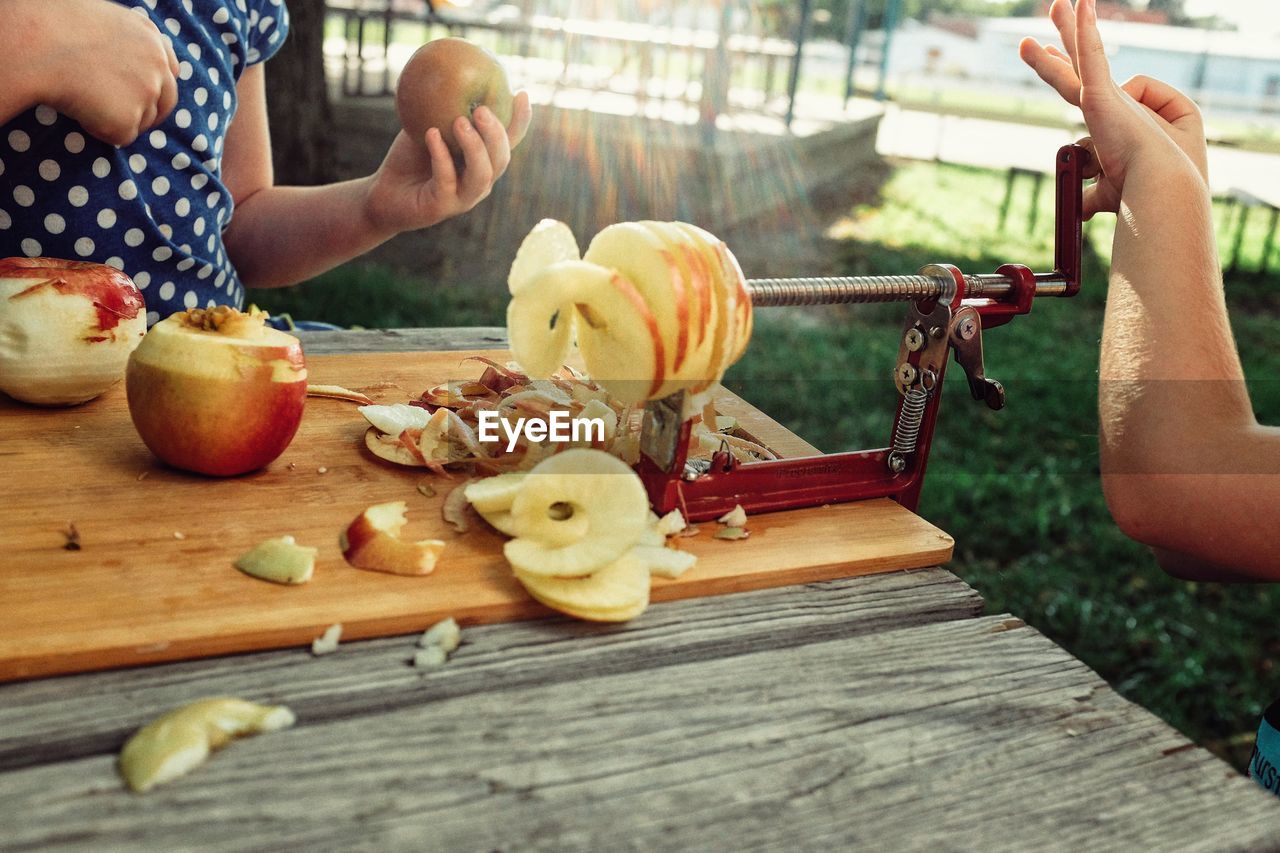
(154, 578)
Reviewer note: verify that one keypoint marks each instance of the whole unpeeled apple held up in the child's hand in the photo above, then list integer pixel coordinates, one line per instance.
(447, 79)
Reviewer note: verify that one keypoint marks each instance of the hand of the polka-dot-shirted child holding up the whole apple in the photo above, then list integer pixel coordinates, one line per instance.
(415, 190)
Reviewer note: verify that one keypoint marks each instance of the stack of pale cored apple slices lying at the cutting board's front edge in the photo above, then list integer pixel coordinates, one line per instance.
(583, 539)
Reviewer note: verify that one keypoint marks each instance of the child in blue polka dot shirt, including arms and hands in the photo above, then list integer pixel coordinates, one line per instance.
(134, 134)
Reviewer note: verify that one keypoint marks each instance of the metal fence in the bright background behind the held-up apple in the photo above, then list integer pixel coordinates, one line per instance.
(707, 60)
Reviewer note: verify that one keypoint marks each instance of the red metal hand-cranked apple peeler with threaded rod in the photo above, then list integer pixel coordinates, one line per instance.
(948, 312)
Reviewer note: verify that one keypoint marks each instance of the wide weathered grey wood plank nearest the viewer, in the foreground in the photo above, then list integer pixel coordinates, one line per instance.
(954, 736)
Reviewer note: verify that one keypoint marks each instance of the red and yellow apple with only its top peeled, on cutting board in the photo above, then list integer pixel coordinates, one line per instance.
(217, 391)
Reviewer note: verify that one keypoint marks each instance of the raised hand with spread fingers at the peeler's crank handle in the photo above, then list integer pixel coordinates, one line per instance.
(1144, 121)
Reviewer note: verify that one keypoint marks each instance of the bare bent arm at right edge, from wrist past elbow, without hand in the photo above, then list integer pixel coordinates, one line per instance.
(1181, 446)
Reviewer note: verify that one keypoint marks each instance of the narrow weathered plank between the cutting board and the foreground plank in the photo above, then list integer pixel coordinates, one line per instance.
(39, 723)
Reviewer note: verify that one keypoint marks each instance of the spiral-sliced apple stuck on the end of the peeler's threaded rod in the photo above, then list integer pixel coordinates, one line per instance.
(655, 308)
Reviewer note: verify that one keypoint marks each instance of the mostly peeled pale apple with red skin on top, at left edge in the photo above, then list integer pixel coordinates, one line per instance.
(67, 329)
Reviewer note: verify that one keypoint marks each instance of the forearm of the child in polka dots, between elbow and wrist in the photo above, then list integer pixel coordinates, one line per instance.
(285, 235)
